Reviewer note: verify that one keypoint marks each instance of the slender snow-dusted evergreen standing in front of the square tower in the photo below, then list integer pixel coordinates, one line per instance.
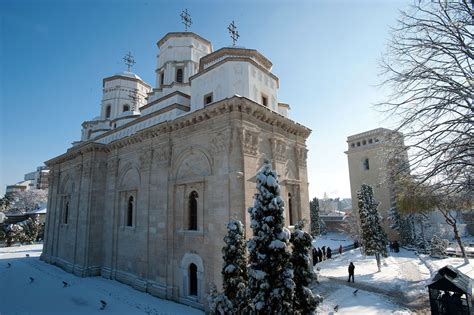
(373, 236)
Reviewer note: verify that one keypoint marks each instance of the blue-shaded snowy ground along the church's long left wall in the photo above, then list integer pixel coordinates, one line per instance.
(46, 294)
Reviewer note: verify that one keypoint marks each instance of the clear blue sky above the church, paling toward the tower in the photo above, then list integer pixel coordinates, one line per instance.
(54, 55)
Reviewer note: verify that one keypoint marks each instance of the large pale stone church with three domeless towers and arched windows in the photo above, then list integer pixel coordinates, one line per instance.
(145, 195)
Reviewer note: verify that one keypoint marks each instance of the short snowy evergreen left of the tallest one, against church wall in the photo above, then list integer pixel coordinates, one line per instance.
(234, 270)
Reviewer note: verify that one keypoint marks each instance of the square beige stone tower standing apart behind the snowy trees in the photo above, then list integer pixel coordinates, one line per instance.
(370, 162)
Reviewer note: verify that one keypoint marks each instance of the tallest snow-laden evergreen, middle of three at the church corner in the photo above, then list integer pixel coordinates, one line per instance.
(271, 285)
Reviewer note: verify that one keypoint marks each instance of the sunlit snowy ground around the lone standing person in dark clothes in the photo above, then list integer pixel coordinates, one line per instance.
(403, 279)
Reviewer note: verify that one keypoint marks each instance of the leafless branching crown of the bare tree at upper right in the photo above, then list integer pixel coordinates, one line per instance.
(428, 67)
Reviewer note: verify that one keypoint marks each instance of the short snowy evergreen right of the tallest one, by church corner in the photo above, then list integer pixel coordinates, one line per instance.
(305, 302)
